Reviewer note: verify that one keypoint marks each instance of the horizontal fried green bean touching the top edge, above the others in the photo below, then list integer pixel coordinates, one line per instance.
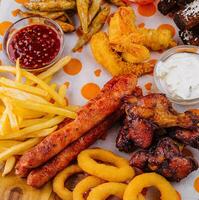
(50, 5)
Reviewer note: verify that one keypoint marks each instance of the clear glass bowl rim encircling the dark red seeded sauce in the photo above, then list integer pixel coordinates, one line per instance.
(25, 22)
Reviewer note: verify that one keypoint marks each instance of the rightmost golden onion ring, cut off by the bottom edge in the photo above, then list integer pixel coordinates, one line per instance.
(142, 181)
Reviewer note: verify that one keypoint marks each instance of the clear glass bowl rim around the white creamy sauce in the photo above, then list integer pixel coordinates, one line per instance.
(159, 83)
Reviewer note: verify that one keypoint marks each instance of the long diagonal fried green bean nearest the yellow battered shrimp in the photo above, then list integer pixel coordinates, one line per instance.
(95, 26)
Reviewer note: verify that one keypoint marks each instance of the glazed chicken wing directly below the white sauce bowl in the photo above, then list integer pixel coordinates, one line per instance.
(158, 110)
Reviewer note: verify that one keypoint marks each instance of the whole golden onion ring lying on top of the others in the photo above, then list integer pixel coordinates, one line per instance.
(120, 170)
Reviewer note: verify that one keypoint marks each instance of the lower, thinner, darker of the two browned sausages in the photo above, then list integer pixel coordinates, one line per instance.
(38, 177)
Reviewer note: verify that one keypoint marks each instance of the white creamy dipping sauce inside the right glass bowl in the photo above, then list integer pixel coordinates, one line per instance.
(180, 75)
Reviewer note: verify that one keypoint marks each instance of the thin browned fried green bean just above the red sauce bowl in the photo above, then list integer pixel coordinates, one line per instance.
(52, 15)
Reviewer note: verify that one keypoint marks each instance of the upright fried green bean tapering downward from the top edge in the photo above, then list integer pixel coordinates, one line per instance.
(82, 9)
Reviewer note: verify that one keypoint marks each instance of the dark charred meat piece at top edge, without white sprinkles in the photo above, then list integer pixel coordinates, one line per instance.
(167, 6)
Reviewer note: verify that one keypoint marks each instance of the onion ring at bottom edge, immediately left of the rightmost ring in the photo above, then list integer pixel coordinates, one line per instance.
(105, 190)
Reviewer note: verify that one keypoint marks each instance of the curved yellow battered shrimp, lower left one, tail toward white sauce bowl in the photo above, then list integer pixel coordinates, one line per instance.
(110, 60)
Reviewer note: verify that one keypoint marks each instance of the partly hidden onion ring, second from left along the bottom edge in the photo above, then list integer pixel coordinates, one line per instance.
(84, 186)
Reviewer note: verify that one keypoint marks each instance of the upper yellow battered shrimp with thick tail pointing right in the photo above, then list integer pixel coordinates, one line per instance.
(123, 32)
